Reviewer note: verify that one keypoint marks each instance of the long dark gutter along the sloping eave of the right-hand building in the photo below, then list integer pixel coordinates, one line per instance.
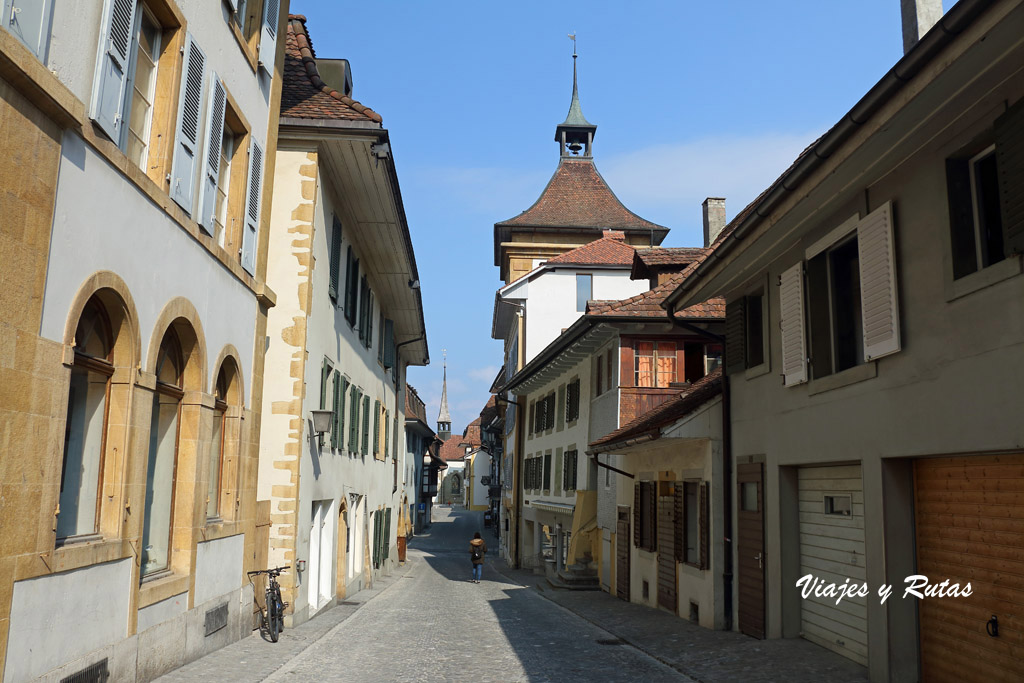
(952, 25)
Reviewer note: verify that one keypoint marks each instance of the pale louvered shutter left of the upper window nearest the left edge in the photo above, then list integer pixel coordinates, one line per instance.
(112, 67)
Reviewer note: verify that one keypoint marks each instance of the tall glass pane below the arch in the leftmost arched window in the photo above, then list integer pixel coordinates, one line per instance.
(83, 452)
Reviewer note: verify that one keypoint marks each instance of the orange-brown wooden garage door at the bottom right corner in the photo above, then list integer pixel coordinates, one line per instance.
(970, 522)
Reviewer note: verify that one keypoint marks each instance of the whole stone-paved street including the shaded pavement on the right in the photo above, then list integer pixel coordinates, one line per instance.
(429, 622)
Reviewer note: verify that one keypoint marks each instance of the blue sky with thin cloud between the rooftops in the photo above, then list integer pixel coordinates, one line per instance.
(692, 101)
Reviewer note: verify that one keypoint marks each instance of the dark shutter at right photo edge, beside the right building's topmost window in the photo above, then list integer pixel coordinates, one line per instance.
(1010, 165)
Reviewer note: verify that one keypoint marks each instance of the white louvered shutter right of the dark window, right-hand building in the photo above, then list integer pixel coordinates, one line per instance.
(879, 304)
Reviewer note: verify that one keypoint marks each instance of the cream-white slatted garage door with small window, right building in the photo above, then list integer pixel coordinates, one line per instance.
(832, 548)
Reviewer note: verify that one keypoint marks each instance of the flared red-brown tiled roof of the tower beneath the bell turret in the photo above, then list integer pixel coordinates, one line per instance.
(578, 197)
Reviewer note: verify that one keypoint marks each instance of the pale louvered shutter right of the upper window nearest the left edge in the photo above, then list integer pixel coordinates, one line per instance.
(188, 134)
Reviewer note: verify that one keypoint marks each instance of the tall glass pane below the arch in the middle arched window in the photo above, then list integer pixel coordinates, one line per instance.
(160, 485)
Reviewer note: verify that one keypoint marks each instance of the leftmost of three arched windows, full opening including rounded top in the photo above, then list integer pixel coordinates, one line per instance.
(86, 430)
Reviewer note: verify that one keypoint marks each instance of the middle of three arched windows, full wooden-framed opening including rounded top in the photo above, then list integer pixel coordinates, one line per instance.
(163, 455)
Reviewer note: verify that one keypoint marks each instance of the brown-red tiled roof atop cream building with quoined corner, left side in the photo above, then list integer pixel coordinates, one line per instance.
(304, 93)
